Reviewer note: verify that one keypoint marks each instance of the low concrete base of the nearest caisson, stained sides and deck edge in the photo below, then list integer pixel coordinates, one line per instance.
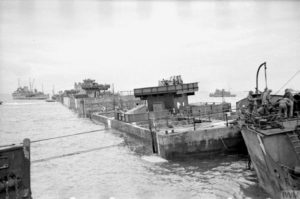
(209, 138)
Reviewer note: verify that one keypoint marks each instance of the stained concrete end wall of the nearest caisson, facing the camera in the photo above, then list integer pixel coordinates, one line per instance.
(201, 142)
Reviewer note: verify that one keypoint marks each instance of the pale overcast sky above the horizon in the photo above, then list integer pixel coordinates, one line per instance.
(133, 44)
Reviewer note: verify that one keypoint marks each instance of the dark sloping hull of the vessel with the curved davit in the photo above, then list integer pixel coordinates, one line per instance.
(266, 153)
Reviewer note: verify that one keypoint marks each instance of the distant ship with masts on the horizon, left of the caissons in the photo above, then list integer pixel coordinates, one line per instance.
(24, 93)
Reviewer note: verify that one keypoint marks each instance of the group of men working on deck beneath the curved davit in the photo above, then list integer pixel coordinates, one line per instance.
(286, 103)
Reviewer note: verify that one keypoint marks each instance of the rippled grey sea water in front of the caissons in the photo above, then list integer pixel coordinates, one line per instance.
(117, 172)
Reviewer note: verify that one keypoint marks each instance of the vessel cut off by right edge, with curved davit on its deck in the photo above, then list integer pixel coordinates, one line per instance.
(273, 142)
